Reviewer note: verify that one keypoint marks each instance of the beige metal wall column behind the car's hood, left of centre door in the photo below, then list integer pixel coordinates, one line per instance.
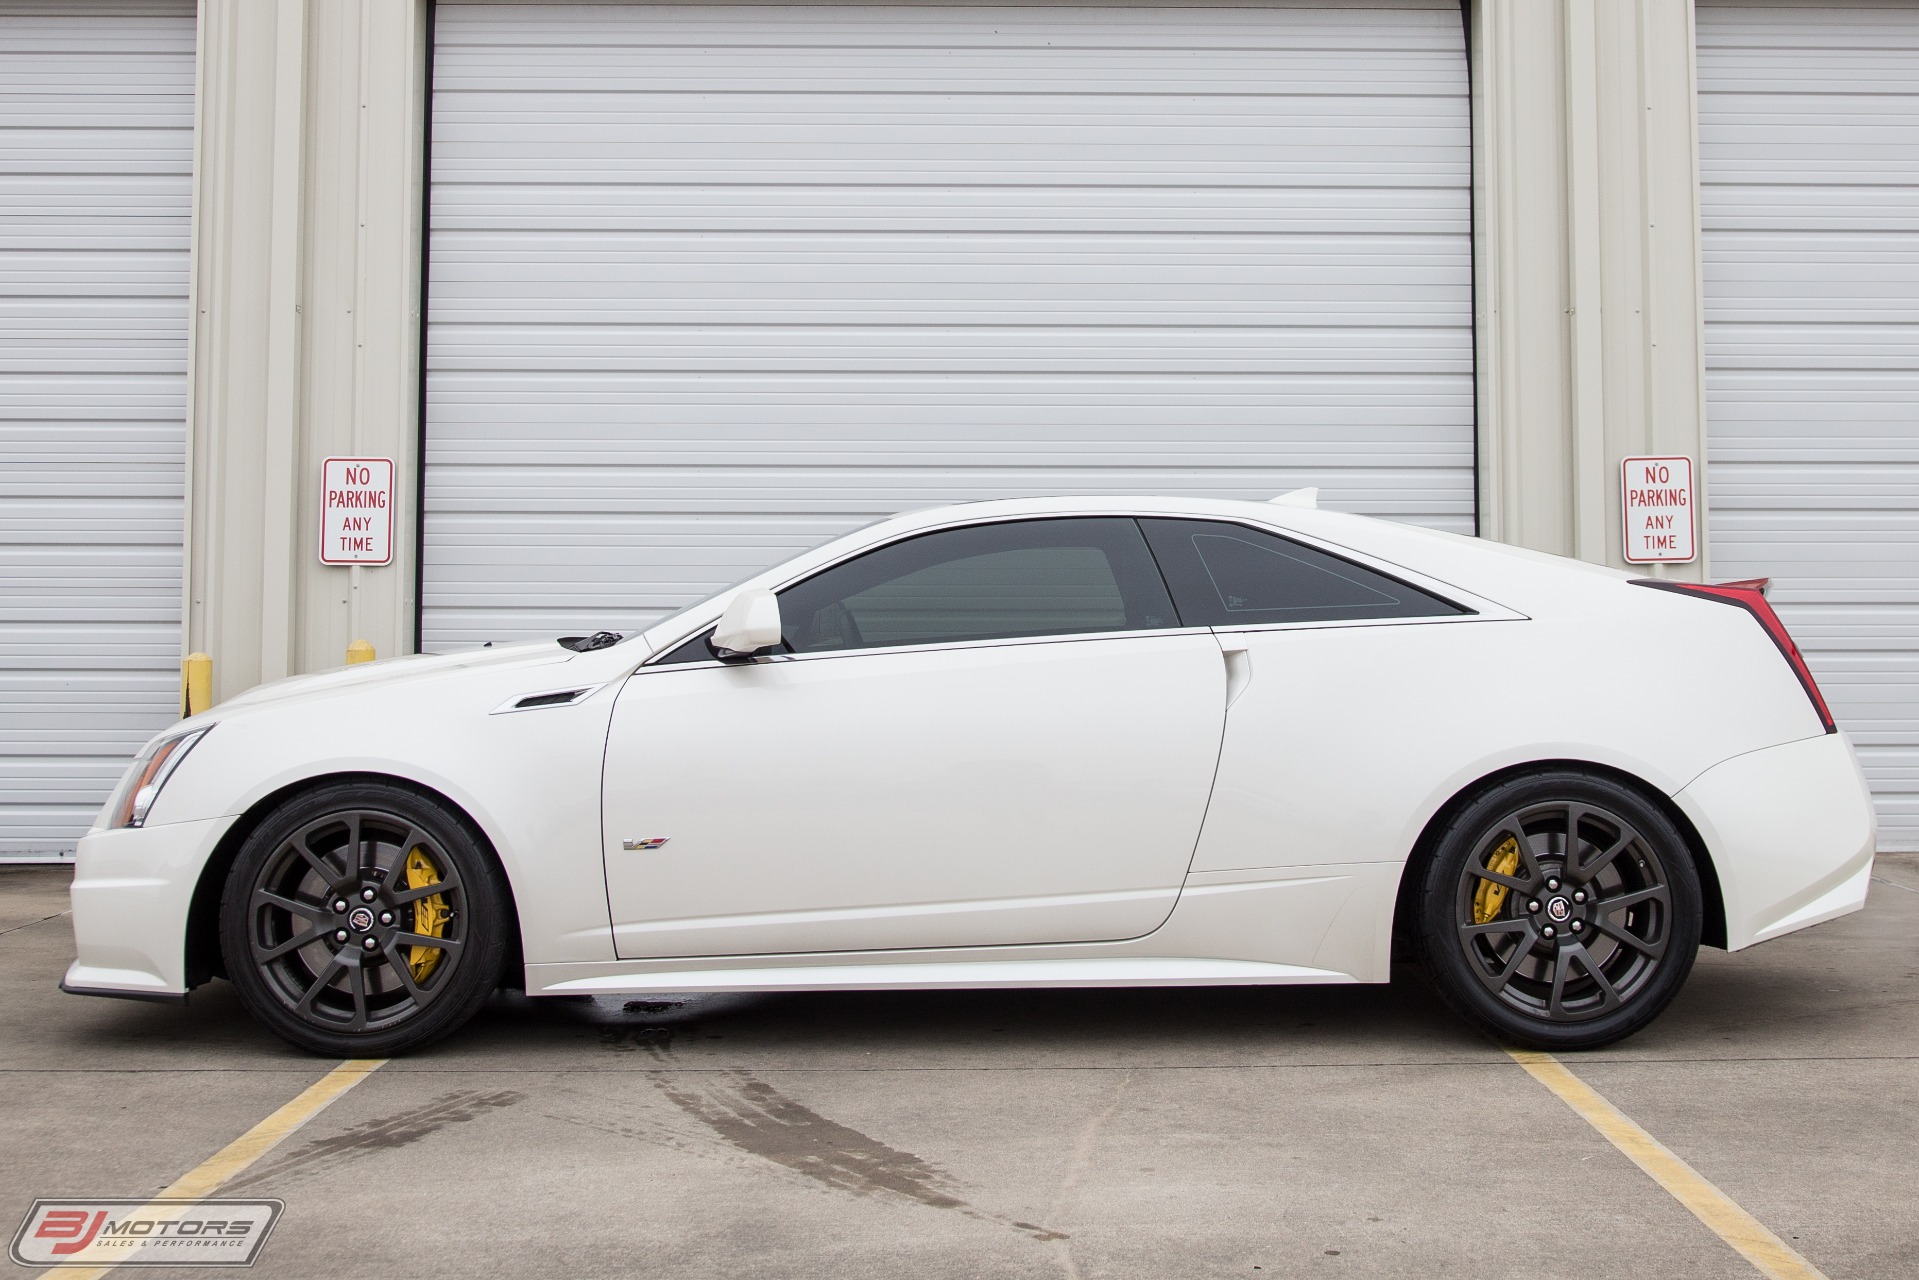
(308, 204)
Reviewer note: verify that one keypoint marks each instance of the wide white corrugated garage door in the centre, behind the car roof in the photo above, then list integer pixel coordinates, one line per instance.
(715, 283)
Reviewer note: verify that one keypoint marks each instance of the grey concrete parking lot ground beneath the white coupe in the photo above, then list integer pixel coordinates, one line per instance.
(1156, 1133)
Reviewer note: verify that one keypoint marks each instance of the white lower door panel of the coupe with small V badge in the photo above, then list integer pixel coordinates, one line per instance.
(1041, 792)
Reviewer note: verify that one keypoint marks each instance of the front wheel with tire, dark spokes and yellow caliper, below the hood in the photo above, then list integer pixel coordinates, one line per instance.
(369, 955)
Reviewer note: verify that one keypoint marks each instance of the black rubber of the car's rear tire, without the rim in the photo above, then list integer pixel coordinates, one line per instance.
(1438, 930)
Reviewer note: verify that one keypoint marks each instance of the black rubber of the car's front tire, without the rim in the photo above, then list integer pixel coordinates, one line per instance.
(485, 903)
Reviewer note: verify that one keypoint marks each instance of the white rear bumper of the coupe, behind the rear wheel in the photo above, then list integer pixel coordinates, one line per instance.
(1791, 834)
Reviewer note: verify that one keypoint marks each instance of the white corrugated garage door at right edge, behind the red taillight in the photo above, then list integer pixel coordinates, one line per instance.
(1811, 170)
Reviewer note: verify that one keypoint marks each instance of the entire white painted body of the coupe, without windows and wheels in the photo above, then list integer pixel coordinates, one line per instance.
(1337, 753)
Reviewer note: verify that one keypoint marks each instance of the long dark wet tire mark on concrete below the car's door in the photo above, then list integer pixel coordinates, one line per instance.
(759, 1120)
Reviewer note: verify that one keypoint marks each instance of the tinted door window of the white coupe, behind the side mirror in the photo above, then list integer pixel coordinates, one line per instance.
(983, 582)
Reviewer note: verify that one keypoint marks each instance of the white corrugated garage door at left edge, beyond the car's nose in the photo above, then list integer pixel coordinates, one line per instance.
(97, 145)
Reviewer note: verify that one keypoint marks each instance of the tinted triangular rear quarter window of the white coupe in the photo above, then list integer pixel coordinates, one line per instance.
(1231, 575)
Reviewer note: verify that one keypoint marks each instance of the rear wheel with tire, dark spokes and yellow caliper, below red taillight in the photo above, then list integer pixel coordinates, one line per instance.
(1548, 949)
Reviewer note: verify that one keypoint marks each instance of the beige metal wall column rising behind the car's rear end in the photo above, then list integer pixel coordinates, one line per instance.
(1590, 296)
